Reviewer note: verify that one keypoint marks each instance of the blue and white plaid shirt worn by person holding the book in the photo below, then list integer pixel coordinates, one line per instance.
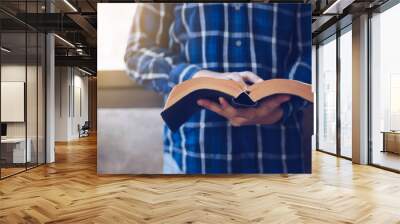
(169, 43)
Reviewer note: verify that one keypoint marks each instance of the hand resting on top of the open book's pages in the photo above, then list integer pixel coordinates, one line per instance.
(242, 77)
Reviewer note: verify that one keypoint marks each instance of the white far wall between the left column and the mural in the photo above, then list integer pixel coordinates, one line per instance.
(68, 80)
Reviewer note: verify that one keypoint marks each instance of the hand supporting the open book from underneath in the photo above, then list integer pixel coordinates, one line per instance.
(268, 112)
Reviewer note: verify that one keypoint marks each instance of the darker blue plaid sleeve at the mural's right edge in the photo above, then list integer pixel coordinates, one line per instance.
(301, 68)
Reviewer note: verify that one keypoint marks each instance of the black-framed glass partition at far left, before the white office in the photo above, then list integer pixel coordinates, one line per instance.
(22, 88)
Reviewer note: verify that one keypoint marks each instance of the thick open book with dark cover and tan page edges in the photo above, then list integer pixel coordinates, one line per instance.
(182, 101)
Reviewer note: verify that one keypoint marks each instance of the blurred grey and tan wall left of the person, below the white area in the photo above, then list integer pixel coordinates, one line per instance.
(129, 134)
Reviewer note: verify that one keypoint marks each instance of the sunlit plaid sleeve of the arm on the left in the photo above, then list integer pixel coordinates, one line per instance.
(152, 57)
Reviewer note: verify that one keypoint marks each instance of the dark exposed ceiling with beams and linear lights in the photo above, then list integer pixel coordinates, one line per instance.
(76, 21)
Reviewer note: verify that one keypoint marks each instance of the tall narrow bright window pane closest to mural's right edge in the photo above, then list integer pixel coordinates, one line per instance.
(327, 96)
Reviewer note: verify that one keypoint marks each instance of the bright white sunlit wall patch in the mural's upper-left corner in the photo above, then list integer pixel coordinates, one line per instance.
(113, 24)
